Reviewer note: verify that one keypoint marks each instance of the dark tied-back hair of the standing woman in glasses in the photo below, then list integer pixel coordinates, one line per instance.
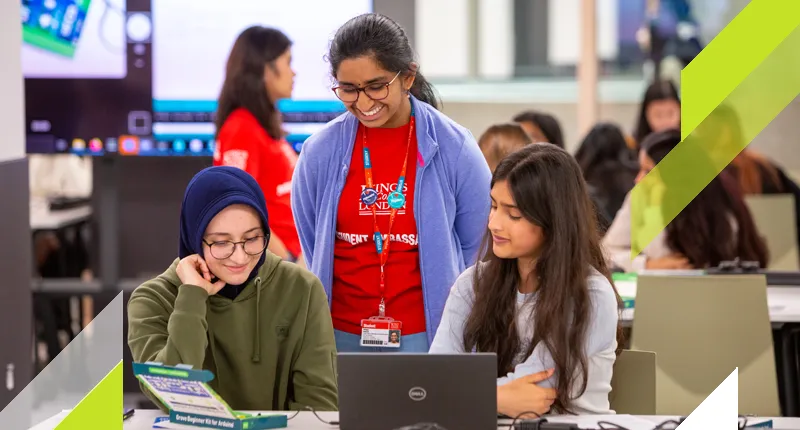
(382, 38)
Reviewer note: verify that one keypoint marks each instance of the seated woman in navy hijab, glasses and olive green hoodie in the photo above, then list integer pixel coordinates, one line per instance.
(260, 324)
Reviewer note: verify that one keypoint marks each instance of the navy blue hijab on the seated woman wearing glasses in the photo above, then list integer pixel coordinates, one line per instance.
(208, 193)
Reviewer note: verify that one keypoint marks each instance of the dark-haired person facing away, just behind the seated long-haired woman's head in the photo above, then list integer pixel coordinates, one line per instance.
(609, 168)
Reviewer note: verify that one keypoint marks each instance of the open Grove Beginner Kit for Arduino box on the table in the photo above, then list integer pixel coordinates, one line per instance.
(191, 401)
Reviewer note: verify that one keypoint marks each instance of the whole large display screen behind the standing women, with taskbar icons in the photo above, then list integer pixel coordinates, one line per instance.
(141, 77)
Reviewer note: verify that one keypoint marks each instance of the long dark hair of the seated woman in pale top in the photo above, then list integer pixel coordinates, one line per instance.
(548, 189)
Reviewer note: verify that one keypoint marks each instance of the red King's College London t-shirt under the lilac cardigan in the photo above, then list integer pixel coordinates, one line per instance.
(356, 263)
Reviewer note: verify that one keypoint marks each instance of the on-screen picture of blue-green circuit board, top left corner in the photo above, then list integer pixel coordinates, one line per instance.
(73, 39)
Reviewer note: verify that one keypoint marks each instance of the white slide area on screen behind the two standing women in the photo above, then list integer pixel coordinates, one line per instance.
(192, 40)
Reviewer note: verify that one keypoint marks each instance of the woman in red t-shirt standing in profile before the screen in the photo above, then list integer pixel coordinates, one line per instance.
(249, 133)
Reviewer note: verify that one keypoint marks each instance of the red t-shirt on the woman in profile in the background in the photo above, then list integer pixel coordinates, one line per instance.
(243, 143)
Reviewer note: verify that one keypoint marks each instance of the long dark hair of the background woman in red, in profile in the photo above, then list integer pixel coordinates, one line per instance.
(244, 86)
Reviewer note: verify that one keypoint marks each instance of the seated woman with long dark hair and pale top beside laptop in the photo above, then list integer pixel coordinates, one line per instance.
(541, 259)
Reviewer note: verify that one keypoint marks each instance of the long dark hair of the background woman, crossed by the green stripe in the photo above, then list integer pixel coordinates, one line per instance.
(703, 231)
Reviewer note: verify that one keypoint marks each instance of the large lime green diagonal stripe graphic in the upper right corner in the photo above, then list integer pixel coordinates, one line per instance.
(722, 125)
